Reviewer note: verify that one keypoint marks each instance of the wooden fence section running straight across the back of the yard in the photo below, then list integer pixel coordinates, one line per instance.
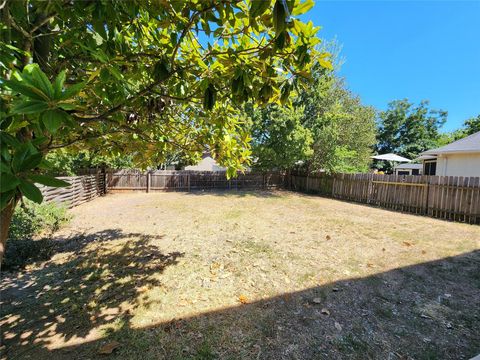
(188, 180)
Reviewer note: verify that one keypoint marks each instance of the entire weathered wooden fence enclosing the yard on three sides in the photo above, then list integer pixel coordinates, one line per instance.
(454, 198)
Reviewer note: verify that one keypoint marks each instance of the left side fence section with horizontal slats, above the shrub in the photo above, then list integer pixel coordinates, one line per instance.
(82, 188)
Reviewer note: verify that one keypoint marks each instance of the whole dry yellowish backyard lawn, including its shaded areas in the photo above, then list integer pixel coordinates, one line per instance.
(246, 275)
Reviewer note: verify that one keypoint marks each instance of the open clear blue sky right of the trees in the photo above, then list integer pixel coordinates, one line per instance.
(408, 49)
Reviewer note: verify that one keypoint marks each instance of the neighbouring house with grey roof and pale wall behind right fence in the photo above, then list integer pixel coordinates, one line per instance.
(460, 158)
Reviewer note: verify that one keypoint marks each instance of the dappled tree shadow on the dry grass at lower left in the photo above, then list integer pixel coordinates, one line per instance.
(95, 283)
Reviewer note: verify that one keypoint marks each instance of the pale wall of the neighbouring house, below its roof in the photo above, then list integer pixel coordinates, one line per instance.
(458, 164)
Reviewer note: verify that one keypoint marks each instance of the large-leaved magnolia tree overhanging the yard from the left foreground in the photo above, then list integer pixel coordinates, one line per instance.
(143, 78)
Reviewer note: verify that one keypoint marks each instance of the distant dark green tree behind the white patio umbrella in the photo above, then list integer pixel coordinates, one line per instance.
(407, 129)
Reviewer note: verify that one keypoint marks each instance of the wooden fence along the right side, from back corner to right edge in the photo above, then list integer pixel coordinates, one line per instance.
(454, 198)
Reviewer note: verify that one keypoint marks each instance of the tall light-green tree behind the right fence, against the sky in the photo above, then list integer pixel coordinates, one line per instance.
(343, 129)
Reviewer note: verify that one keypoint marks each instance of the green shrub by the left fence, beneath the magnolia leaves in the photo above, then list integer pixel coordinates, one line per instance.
(30, 222)
